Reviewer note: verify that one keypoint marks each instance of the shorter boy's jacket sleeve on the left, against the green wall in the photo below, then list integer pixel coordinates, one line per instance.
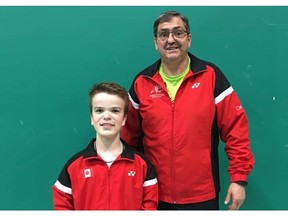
(62, 192)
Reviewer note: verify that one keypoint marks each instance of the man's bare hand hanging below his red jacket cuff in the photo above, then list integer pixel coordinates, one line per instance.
(237, 193)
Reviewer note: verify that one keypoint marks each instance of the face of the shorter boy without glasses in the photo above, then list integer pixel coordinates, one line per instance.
(107, 114)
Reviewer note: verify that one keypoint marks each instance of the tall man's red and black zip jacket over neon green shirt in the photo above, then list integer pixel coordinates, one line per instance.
(181, 138)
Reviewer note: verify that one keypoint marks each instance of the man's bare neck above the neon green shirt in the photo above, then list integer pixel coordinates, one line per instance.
(176, 67)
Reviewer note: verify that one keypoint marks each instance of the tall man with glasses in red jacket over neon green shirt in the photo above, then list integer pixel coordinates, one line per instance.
(179, 106)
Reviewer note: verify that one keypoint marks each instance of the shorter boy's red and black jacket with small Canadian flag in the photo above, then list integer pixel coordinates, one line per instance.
(87, 183)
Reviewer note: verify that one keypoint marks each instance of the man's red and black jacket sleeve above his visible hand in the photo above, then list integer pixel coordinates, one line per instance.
(234, 130)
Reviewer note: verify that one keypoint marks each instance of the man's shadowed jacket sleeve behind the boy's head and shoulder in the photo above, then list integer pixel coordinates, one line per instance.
(131, 131)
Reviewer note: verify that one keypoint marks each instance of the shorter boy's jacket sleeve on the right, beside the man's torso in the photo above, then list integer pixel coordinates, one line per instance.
(150, 189)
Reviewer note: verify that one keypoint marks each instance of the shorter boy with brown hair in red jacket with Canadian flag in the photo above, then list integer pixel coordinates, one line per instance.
(108, 174)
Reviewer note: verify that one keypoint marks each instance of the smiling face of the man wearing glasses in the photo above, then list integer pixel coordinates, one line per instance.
(176, 44)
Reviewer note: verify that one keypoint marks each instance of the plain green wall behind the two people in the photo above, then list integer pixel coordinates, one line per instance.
(50, 57)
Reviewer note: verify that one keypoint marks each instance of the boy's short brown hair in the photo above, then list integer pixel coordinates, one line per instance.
(109, 88)
